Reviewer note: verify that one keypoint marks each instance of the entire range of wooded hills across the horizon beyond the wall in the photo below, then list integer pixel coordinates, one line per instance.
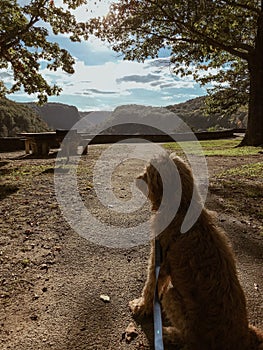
(19, 117)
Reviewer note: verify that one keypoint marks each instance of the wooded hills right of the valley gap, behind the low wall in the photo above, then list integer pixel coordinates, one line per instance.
(191, 112)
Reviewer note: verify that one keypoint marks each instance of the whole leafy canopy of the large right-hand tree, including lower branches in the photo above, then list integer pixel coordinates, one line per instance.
(216, 41)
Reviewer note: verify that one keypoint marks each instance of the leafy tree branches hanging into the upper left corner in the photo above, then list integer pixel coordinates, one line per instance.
(24, 42)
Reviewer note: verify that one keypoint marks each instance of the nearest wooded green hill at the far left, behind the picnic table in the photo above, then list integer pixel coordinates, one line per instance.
(17, 117)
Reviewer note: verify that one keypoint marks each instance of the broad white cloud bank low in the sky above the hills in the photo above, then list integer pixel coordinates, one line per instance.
(105, 86)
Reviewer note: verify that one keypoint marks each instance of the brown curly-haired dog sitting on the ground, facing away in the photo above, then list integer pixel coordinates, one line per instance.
(198, 285)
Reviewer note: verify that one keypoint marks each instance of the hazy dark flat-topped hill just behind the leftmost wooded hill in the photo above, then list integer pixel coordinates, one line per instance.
(57, 115)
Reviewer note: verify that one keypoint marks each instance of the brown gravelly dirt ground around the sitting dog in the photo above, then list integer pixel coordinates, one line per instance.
(52, 278)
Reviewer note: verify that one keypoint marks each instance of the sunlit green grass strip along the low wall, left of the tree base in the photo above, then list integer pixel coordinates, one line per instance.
(224, 148)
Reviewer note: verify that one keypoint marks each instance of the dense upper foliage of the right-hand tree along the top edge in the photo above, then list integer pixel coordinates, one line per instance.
(197, 31)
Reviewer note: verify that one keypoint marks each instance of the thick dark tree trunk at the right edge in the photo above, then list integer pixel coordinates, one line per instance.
(254, 133)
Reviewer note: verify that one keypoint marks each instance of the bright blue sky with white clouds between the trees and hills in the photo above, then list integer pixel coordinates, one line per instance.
(103, 80)
